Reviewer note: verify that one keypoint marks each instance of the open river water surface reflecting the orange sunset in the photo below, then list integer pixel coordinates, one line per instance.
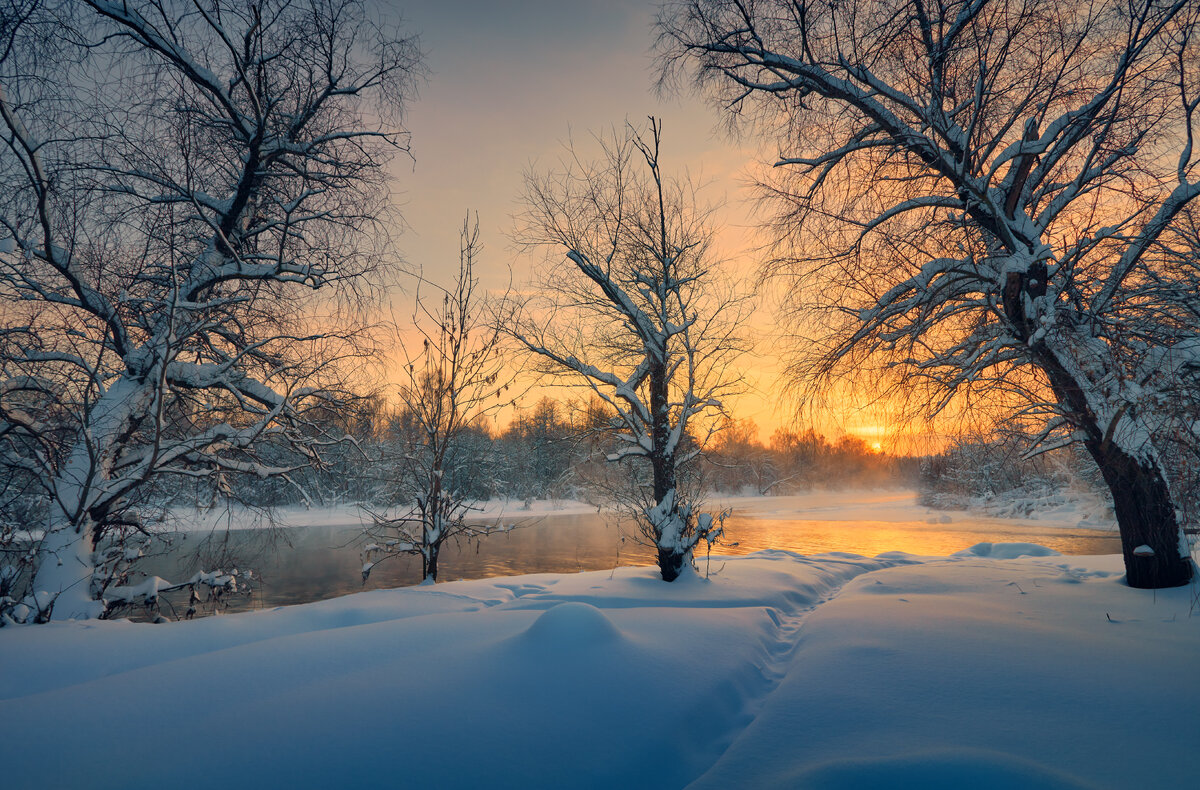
(323, 562)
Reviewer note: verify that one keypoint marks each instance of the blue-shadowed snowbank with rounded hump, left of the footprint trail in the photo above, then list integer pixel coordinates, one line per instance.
(533, 681)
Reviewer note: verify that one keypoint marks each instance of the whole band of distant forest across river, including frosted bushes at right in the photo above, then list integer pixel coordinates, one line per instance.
(557, 451)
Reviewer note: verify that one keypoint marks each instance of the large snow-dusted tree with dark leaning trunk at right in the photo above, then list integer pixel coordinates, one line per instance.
(987, 197)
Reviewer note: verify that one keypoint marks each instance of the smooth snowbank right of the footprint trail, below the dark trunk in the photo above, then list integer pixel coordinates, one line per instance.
(1030, 674)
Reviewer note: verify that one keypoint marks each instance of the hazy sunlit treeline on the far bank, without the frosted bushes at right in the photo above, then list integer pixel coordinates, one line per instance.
(549, 451)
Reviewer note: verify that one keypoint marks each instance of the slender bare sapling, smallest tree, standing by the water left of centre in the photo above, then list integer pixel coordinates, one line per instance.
(457, 379)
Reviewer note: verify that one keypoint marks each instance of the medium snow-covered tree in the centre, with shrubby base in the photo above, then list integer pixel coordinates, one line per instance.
(633, 308)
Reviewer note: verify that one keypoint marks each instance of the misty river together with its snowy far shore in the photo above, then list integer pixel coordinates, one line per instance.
(320, 558)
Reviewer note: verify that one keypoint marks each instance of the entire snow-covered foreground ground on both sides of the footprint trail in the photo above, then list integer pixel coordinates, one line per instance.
(782, 671)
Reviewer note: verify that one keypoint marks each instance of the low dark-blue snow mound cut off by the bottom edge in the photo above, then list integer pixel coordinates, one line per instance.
(952, 770)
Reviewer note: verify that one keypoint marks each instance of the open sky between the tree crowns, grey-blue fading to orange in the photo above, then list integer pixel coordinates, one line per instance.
(509, 85)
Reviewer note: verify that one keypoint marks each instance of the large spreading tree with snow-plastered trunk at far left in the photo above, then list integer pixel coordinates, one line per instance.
(189, 197)
